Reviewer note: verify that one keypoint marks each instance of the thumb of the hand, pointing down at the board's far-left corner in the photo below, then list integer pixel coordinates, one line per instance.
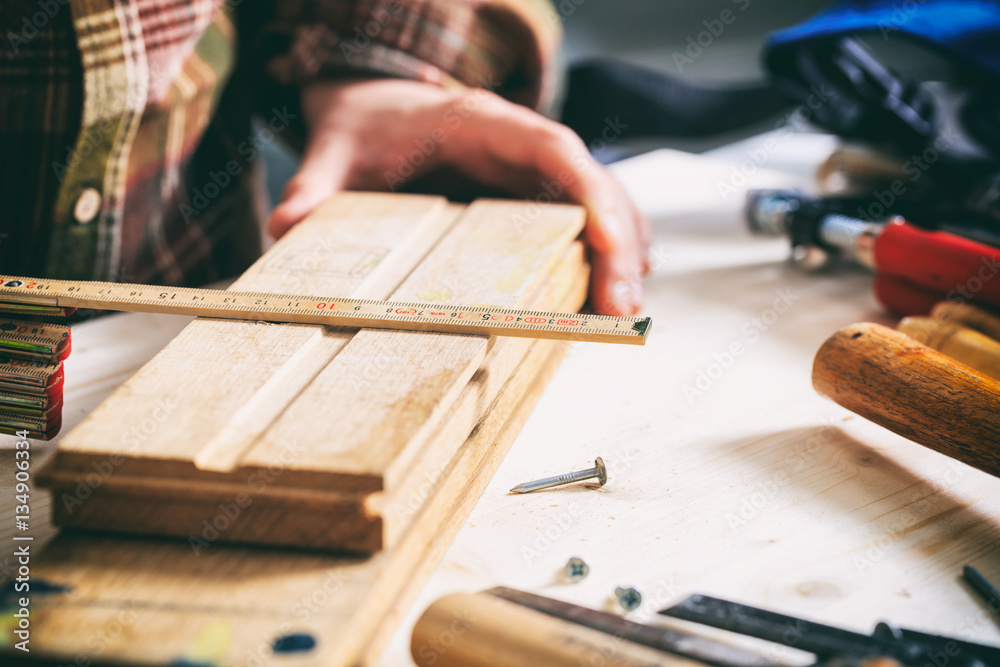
(320, 175)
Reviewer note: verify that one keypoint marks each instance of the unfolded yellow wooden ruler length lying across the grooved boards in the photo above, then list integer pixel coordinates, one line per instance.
(55, 297)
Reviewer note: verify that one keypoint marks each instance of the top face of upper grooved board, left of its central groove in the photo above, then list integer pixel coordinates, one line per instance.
(195, 391)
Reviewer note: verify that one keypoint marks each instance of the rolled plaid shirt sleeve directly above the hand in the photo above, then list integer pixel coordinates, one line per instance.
(508, 46)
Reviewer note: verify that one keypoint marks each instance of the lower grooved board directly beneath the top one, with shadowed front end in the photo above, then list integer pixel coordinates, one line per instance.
(361, 522)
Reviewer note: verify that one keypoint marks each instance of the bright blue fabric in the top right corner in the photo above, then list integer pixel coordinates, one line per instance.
(967, 30)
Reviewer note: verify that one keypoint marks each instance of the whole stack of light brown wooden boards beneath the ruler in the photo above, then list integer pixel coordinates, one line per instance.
(304, 436)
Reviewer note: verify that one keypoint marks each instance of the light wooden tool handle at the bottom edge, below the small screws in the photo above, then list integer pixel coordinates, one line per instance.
(481, 630)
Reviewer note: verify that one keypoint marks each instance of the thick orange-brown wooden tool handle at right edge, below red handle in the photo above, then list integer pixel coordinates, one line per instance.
(910, 389)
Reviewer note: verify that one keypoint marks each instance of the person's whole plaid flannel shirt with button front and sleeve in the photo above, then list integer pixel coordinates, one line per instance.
(126, 145)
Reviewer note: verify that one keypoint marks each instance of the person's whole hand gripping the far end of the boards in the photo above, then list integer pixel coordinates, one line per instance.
(362, 132)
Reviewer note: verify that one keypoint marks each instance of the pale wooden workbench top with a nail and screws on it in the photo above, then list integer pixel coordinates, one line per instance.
(728, 474)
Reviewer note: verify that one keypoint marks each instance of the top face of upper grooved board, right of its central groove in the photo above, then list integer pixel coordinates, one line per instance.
(393, 388)
